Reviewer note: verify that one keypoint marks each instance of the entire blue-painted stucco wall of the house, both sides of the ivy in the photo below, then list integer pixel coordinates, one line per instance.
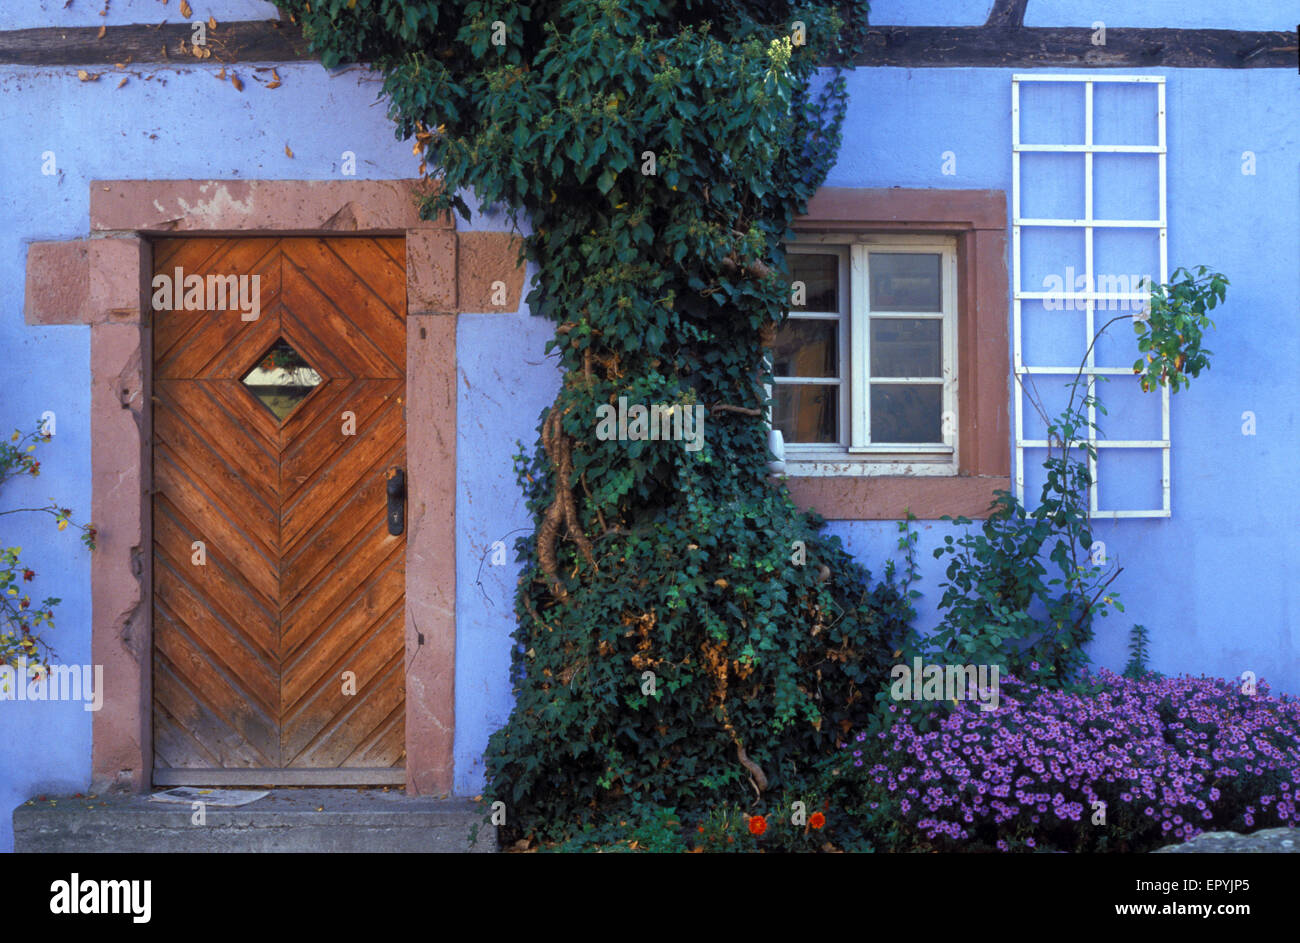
(1216, 585)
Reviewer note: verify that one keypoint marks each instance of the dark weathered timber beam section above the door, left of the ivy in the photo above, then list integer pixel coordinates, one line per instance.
(255, 41)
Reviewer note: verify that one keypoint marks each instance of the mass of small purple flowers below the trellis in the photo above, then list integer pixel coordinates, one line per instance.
(1112, 765)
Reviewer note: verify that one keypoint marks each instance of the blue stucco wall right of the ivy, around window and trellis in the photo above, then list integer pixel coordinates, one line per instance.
(1216, 585)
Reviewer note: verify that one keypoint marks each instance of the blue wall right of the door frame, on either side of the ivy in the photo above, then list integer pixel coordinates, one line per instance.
(1216, 585)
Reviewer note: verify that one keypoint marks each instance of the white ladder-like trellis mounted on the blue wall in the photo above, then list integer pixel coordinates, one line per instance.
(1089, 224)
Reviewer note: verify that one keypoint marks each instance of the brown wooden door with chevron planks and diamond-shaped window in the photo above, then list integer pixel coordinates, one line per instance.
(279, 591)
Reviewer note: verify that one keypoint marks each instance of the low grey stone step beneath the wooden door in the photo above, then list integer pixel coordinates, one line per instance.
(285, 821)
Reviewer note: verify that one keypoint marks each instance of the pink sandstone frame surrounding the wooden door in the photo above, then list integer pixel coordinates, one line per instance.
(103, 282)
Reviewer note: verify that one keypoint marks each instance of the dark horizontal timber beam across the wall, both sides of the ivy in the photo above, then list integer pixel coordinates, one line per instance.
(1002, 42)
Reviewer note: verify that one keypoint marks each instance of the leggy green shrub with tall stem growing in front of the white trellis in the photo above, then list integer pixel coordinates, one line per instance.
(1025, 591)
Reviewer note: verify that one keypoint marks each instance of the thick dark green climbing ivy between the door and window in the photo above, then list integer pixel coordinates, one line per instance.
(687, 637)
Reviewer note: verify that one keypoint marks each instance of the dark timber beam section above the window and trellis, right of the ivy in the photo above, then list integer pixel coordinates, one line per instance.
(1072, 47)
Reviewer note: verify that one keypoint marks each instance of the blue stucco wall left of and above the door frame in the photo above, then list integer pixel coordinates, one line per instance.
(176, 124)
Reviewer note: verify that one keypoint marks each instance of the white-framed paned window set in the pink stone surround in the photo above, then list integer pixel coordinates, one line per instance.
(865, 369)
